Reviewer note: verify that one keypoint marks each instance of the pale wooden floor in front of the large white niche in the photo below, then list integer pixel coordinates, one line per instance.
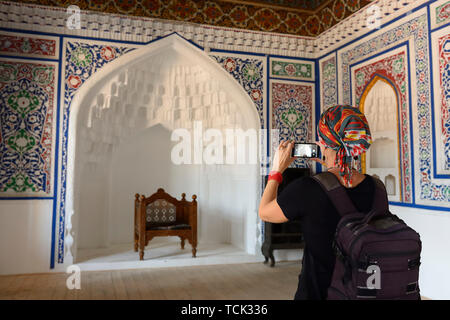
(254, 281)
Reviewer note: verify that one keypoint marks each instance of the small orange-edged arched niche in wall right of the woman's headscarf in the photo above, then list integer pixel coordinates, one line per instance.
(379, 102)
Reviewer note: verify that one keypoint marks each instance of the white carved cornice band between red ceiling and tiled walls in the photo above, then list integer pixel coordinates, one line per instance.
(142, 30)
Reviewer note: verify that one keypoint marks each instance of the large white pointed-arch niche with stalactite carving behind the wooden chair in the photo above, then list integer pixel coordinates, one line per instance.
(121, 119)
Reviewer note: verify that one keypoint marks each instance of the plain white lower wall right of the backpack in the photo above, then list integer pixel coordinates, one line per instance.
(433, 227)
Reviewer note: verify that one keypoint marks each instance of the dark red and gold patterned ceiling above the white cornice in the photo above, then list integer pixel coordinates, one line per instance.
(248, 15)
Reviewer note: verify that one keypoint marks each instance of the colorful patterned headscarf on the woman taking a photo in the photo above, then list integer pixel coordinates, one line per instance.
(345, 129)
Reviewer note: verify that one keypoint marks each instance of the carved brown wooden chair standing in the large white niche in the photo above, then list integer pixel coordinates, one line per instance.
(162, 215)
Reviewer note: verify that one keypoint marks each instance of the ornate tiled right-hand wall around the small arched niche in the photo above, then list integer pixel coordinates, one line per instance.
(423, 138)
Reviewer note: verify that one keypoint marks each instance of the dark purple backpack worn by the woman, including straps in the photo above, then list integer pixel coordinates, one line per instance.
(377, 254)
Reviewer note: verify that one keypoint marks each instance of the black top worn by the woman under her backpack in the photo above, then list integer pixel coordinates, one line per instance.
(304, 200)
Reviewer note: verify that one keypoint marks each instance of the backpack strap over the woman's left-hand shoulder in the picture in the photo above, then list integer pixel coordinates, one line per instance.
(335, 192)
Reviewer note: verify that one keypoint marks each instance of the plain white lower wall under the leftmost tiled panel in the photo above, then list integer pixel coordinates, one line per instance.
(25, 236)
